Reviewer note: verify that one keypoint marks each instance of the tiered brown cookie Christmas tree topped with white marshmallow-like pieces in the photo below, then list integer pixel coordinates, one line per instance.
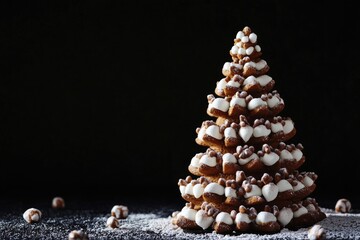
(247, 179)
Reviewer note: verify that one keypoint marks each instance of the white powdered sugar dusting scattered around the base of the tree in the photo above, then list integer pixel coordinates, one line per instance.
(155, 224)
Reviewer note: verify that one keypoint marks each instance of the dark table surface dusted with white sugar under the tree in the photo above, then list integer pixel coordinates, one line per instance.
(149, 218)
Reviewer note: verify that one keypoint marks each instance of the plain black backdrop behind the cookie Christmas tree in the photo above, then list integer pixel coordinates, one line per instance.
(103, 98)
